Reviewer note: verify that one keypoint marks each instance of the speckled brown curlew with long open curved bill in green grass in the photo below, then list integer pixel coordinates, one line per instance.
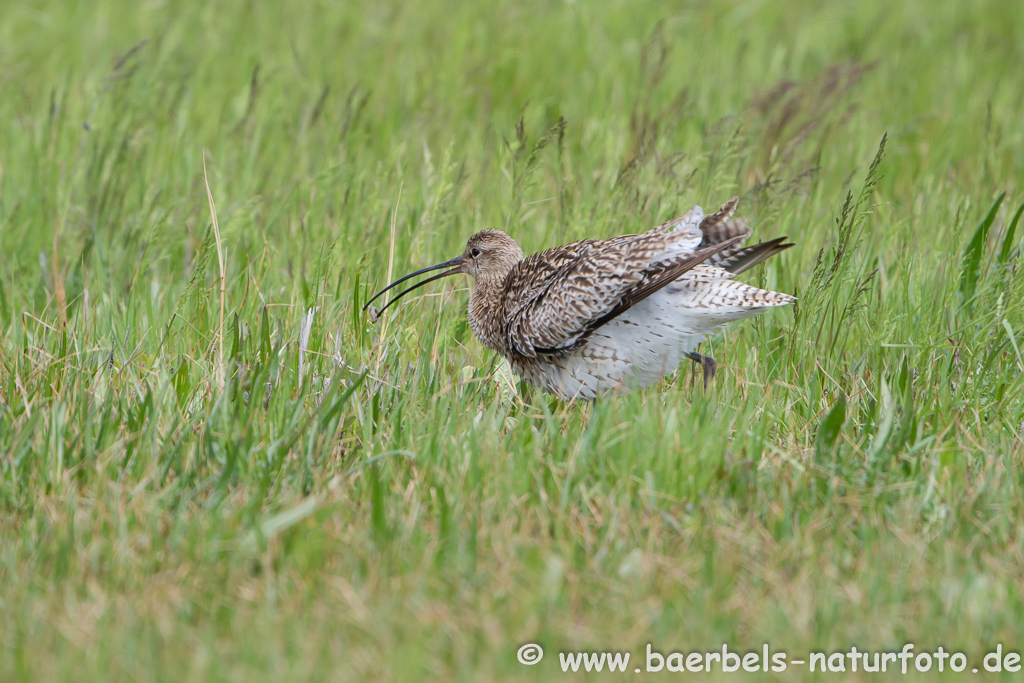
(601, 317)
